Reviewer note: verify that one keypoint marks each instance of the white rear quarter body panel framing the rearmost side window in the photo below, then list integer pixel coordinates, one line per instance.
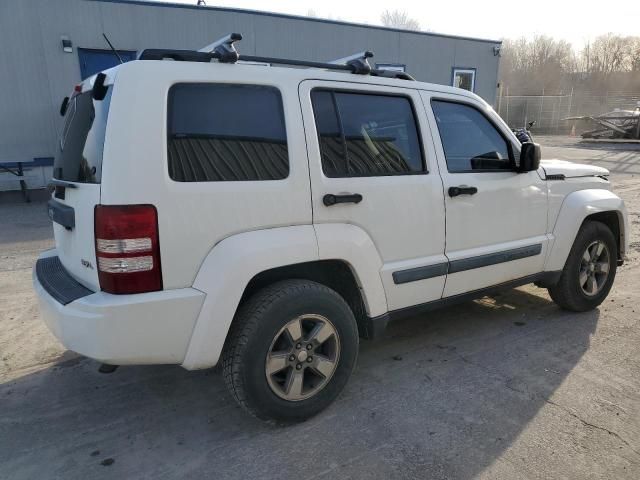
(193, 217)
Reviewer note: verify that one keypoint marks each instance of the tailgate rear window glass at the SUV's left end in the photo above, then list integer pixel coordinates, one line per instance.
(79, 154)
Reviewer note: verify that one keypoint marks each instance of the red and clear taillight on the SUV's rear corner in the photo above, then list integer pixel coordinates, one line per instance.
(127, 248)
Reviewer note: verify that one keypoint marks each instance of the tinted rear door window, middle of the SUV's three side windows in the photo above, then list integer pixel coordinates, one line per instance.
(365, 135)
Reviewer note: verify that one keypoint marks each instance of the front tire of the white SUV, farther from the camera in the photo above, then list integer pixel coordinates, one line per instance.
(570, 293)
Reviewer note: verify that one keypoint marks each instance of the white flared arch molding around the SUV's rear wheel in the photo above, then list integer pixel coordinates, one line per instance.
(240, 264)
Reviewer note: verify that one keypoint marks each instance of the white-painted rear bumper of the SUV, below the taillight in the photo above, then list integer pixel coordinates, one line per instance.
(145, 328)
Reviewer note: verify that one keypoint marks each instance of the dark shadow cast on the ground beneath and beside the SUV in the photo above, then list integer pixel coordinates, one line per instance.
(440, 396)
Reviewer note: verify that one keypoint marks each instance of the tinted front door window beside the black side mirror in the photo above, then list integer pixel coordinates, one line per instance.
(469, 140)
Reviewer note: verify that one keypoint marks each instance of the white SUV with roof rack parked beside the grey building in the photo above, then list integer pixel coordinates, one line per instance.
(267, 217)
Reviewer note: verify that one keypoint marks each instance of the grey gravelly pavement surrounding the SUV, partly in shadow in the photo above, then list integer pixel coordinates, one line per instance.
(506, 387)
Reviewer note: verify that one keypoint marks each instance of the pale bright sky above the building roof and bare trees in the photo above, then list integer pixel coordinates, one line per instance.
(574, 21)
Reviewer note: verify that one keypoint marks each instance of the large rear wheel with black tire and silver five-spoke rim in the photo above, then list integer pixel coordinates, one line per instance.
(261, 340)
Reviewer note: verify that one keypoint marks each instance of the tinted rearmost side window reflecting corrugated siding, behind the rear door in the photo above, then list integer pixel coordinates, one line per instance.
(226, 133)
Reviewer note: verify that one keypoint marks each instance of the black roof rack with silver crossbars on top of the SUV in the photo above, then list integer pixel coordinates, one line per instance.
(224, 51)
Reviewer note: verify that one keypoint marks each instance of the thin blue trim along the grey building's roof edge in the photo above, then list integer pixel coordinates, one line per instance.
(152, 3)
